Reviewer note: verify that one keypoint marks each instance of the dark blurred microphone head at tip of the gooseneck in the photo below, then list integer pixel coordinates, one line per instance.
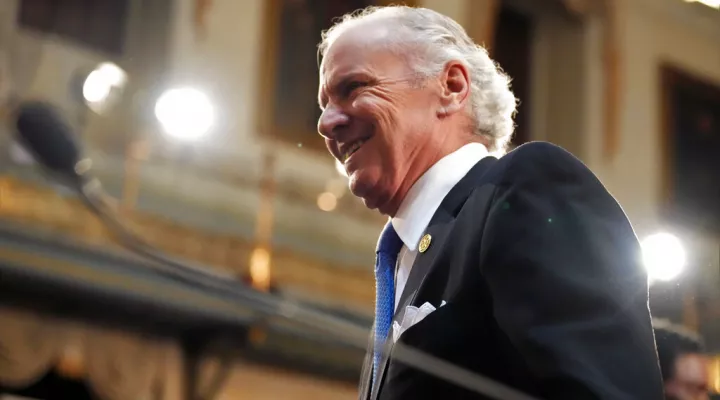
(43, 131)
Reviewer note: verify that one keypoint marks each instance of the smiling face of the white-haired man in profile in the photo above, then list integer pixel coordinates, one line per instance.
(378, 116)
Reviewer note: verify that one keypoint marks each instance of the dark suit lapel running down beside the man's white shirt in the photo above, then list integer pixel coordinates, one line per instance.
(438, 229)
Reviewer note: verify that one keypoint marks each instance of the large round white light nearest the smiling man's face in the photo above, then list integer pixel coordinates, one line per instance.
(185, 113)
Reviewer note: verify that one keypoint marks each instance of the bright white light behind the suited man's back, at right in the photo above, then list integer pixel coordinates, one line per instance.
(664, 256)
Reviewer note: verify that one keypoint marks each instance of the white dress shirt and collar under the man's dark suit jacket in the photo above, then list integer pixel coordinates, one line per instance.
(423, 199)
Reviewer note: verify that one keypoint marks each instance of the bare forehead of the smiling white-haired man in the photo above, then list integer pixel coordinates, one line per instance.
(361, 48)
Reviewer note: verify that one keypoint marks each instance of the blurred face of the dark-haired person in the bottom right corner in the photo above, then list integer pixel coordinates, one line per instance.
(690, 381)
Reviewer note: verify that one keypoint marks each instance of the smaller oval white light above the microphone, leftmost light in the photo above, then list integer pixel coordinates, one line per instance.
(102, 86)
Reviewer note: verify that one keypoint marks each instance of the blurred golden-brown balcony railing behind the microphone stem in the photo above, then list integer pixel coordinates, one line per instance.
(43, 208)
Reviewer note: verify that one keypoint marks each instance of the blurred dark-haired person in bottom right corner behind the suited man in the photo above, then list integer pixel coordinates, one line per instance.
(682, 362)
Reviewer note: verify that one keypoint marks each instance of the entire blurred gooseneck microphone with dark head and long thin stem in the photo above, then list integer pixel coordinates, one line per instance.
(44, 132)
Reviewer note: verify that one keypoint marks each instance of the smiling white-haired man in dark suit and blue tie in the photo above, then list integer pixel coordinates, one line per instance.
(522, 269)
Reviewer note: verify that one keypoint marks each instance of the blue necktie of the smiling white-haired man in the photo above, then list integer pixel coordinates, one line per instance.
(387, 251)
